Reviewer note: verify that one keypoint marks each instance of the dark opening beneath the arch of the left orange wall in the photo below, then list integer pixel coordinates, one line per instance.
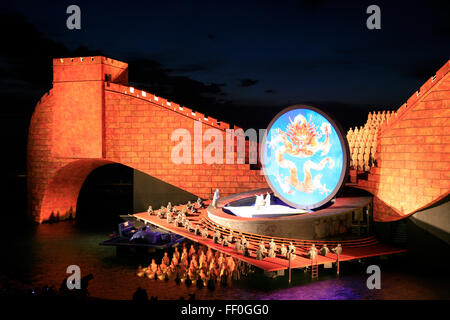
(114, 189)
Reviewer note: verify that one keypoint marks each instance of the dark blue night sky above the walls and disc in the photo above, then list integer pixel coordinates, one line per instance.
(240, 61)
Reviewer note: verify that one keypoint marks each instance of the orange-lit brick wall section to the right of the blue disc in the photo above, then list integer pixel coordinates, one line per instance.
(413, 153)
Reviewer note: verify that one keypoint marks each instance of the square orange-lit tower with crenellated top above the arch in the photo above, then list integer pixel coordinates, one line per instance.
(78, 92)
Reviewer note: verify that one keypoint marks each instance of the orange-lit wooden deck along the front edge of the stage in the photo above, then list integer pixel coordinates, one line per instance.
(269, 264)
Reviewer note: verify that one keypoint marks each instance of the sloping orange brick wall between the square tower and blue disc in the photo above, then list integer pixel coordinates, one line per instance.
(133, 116)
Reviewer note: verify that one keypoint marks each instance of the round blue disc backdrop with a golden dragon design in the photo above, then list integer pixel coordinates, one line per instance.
(305, 157)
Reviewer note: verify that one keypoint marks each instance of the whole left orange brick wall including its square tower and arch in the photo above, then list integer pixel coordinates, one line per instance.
(91, 117)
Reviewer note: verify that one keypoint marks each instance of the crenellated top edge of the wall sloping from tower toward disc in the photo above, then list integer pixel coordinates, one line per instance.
(185, 111)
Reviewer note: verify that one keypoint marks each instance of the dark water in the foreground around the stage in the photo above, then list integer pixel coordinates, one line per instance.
(39, 256)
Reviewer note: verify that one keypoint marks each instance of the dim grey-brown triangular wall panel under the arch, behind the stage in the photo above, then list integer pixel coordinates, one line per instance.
(148, 190)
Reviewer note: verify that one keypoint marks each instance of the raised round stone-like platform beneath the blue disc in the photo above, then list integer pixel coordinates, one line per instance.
(347, 217)
